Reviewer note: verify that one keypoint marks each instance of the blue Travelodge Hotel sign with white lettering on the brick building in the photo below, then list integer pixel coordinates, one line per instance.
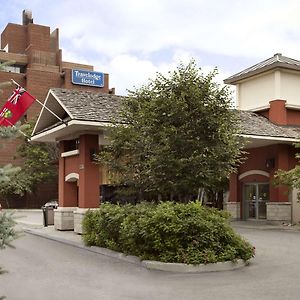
(90, 78)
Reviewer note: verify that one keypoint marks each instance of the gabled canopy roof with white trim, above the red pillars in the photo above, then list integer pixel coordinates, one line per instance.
(81, 112)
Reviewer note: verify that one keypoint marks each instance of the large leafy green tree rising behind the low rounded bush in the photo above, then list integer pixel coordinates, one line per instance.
(179, 135)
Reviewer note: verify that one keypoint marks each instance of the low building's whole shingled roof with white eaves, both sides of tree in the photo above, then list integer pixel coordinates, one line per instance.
(96, 110)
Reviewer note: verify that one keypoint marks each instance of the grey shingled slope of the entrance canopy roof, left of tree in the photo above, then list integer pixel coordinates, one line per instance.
(91, 106)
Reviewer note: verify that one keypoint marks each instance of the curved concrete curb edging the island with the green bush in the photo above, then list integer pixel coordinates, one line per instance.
(149, 264)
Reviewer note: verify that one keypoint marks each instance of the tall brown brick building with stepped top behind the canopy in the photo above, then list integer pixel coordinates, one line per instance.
(38, 66)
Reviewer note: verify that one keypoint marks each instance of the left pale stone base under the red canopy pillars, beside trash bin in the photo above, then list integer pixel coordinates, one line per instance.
(64, 218)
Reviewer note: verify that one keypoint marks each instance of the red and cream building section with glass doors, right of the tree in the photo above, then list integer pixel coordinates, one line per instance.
(269, 104)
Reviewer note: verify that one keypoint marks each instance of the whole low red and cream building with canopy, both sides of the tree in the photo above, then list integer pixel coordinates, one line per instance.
(267, 100)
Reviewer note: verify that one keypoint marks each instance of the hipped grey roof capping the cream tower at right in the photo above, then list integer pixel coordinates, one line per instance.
(276, 61)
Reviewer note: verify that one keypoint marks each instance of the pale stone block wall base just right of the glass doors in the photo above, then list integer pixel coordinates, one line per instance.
(279, 211)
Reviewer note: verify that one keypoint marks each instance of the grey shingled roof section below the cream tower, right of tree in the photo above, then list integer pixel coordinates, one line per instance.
(253, 124)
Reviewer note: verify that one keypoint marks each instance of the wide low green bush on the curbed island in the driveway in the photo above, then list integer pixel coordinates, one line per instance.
(168, 232)
